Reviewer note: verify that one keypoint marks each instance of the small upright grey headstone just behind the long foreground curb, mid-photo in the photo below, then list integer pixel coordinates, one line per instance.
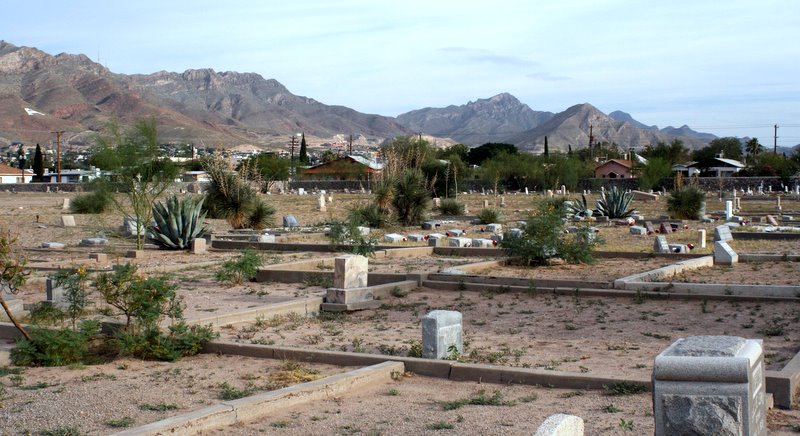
(441, 333)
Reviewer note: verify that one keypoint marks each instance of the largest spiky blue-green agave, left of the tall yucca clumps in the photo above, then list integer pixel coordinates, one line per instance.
(178, 222)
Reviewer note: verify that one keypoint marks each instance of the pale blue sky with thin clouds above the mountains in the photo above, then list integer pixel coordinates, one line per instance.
(729, 68)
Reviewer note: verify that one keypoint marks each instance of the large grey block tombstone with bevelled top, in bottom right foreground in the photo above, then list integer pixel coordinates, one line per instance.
(704, 385)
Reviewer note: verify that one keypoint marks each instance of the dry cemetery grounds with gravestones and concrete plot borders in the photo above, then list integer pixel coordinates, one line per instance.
(437, 328)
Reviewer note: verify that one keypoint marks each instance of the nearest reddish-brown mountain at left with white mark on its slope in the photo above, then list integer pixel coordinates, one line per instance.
(78, 95)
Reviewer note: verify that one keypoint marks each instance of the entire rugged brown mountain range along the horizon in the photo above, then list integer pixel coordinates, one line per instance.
(74, 94)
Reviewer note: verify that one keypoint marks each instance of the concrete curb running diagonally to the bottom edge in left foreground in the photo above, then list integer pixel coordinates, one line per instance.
(261, 405)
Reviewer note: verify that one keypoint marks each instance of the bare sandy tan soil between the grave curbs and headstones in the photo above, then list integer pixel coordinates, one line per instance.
(535, 329)
